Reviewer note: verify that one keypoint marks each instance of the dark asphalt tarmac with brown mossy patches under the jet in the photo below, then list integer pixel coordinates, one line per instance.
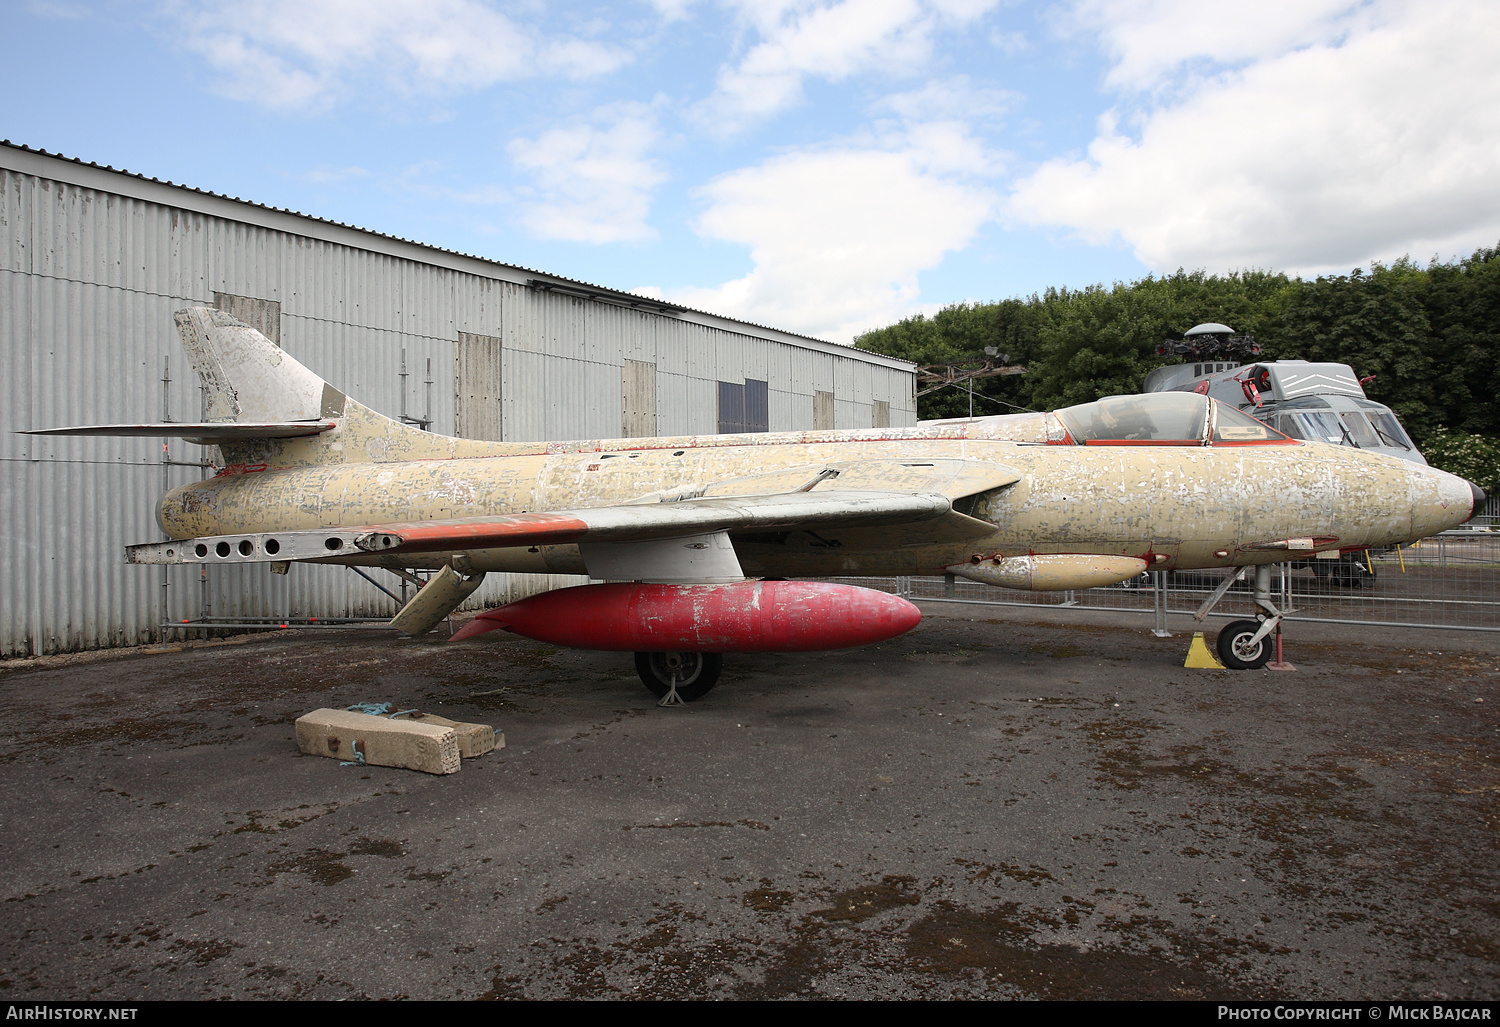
(1000, 804)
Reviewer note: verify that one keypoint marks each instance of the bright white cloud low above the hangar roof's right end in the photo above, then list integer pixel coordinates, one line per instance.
(839, 236)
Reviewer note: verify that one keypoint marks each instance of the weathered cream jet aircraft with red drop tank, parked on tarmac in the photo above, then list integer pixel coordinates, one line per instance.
(1084, 497)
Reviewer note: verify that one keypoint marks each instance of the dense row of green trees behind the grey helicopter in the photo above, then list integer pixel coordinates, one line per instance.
(1430, 337)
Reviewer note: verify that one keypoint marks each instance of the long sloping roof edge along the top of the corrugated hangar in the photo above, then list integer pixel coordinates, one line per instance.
(175, 194)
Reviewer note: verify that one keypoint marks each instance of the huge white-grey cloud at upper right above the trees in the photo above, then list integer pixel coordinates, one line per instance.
(1334, 143)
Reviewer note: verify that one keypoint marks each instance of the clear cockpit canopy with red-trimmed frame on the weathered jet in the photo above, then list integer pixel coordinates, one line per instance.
(1166, 419)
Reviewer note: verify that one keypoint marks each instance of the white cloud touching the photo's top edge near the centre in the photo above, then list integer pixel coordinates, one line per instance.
(824, 40)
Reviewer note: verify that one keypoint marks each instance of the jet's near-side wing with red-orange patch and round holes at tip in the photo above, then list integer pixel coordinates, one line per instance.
(619, 524)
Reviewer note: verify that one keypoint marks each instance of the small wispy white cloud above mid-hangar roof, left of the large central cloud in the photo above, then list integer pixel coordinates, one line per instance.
(593, 182)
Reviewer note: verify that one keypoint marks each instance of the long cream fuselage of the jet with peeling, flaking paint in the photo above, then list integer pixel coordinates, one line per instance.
(1174, 506)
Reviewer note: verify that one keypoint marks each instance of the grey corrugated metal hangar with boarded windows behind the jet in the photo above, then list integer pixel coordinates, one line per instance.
(94, 263)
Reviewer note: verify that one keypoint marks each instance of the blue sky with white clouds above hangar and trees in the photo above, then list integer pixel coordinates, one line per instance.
(824, 167)
